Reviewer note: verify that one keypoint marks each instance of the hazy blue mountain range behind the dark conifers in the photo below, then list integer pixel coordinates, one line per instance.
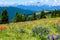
(28, 10)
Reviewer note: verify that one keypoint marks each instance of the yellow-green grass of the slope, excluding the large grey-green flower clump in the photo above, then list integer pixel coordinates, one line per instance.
(23, 30)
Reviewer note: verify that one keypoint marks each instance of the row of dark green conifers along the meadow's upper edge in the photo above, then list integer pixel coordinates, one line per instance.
(22, 17)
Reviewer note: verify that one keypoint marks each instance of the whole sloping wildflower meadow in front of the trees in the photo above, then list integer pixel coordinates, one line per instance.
(29, 30)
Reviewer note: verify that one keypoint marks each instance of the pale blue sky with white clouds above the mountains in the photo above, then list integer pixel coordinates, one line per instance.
(29, 2)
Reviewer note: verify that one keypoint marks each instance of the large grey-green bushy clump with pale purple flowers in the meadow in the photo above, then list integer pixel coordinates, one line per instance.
(40, 31)
